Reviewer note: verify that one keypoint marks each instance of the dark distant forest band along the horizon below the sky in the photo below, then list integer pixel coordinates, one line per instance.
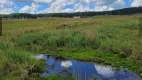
(125, 11)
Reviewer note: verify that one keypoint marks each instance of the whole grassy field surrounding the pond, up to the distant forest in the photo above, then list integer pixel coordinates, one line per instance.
(111, 40)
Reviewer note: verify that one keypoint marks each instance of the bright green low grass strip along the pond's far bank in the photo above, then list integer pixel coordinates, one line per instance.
(105, 58)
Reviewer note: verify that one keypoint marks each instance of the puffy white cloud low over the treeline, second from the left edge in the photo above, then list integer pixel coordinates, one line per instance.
(29, 9)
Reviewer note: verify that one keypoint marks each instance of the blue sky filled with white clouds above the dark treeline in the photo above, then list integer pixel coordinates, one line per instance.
(59, 6)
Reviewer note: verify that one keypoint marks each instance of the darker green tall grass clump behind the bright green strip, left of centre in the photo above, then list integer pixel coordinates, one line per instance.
(52, 41)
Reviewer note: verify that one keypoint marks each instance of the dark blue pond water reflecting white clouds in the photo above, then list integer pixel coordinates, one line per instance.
(84, 70)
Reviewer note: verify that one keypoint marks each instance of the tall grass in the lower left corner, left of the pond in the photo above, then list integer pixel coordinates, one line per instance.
(16, 64)
